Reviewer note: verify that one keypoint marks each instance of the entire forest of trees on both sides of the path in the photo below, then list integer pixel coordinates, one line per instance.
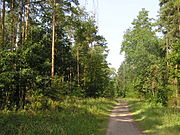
(51, 48)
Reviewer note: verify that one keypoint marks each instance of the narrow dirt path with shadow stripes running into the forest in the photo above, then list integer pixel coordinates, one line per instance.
(121, 122)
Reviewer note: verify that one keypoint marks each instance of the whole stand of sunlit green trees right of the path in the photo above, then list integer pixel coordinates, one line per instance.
(152, 56)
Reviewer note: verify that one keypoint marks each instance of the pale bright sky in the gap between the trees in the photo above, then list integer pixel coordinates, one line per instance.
(114, 17)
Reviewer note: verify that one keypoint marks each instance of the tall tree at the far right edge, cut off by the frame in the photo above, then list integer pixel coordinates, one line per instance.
(169, 22)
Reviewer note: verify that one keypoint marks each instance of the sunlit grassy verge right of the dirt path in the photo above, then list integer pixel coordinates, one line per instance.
(155, 119)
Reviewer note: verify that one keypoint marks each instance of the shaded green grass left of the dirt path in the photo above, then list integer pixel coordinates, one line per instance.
(72, 116)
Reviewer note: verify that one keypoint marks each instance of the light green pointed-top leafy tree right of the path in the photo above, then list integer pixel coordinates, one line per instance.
(142, 73)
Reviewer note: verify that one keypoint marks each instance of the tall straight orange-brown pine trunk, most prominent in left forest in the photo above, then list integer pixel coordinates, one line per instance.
(53, 40)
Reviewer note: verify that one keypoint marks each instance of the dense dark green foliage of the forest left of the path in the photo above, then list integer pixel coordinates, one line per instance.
(25, 60)
